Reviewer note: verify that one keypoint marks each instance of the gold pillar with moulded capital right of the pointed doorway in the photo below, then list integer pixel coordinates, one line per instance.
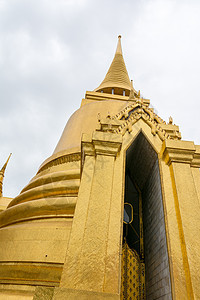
(182, 214)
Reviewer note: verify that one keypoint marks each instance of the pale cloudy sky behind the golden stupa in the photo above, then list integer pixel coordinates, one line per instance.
(52, 51)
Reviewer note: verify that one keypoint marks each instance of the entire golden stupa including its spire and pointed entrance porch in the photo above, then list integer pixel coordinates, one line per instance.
(113, 213)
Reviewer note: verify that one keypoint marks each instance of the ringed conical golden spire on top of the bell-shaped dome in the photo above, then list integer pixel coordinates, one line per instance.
(117, 79)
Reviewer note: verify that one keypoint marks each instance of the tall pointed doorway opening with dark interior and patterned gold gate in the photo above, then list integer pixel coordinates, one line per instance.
(144, 237)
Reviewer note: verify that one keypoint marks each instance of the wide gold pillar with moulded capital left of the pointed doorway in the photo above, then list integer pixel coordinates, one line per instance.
(92, 266)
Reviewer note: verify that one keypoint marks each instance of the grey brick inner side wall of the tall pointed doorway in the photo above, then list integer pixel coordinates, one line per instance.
(158, 284)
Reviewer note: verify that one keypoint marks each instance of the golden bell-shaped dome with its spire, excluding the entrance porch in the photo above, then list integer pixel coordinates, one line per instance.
(40, 218)
